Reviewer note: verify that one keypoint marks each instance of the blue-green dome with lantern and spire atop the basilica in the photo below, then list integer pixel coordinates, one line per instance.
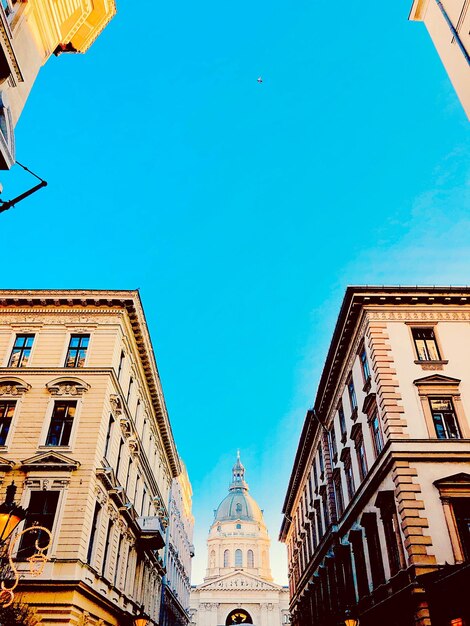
(238, 504)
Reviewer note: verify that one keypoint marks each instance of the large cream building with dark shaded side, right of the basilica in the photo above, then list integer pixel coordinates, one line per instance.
(377, 512)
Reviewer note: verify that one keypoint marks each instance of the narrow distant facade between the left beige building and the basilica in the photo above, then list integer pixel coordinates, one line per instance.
(179, 551)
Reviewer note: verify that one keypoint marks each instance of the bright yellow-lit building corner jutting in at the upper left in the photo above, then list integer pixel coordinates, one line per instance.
(30, 33)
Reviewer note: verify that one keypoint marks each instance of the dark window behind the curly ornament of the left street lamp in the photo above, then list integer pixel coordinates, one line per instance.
(41, 512)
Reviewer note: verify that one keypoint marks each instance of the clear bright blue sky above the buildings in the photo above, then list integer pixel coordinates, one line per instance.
(242, 210)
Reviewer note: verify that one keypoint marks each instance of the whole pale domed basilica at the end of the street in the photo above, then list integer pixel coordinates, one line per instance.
(238, 587)
